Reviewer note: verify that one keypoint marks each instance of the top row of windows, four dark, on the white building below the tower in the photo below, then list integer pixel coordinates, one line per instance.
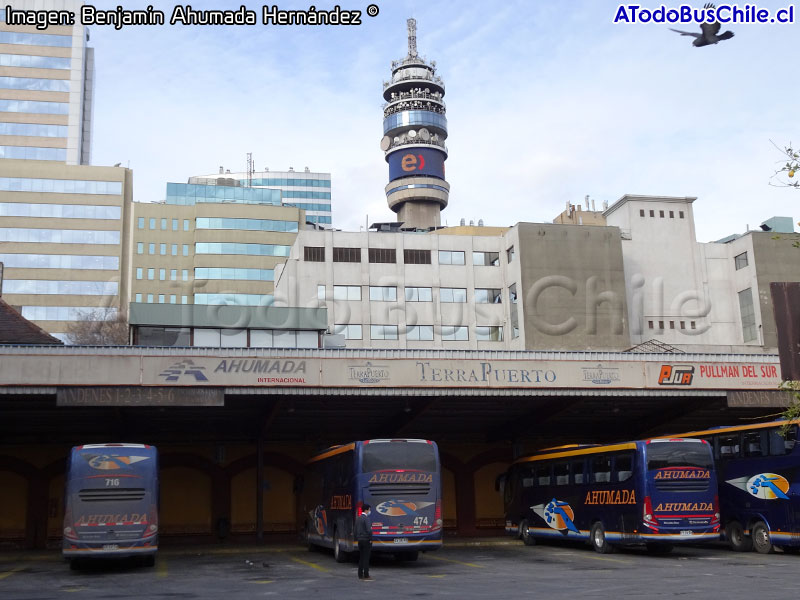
(413, 257)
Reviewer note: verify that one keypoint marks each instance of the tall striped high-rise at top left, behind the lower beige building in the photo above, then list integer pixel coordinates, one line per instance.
(46, 87)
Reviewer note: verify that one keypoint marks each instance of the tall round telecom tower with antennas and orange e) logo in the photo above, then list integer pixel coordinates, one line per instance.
(415, 128)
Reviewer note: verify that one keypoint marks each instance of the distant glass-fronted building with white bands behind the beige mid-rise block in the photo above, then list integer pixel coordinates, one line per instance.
(305, 189)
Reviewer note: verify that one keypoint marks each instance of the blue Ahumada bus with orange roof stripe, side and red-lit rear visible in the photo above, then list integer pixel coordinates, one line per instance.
(658, 492)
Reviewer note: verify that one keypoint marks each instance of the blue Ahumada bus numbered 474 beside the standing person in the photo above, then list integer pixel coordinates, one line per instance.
(399, 478)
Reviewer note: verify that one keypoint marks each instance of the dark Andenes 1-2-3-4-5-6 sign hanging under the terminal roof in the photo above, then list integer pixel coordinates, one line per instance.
(139, 396)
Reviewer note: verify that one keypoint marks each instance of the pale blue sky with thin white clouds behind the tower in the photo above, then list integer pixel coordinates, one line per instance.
(547, 102)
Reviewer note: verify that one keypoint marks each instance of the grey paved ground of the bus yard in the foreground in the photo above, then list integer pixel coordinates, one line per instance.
(486, 569)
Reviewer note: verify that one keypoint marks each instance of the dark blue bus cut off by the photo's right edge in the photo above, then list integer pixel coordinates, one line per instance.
(758, 467)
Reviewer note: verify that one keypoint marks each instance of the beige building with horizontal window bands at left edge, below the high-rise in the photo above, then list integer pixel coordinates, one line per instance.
(64, 240)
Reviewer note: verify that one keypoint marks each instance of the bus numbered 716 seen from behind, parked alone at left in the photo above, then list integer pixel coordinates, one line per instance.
(111, 503)
